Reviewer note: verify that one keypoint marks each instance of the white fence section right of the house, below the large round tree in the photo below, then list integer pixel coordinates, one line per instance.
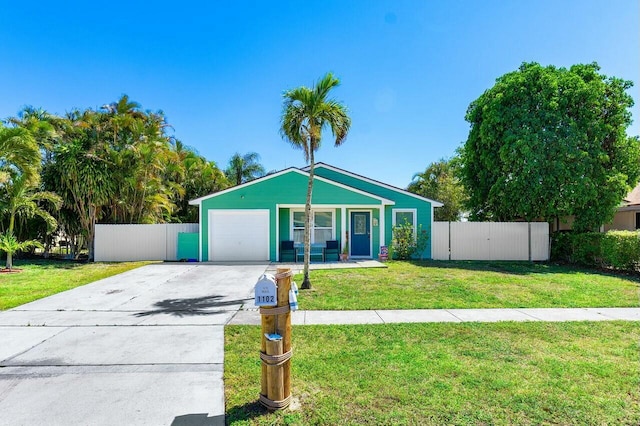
(490, 241)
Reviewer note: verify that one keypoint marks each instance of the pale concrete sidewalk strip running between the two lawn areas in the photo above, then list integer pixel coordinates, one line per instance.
(252, 317)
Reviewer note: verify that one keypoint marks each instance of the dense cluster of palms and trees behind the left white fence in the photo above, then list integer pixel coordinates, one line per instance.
(116, 164)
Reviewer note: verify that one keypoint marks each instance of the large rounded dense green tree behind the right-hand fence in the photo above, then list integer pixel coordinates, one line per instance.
(549, 142)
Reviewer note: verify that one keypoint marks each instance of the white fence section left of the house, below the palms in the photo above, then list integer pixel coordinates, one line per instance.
(122, 243)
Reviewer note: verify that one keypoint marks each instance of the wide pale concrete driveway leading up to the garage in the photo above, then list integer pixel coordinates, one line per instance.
(145, 347)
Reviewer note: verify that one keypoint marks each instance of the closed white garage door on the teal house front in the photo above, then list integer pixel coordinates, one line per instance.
(238, 235)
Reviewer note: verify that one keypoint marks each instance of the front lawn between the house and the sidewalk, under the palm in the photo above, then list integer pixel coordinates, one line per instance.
(442, 285)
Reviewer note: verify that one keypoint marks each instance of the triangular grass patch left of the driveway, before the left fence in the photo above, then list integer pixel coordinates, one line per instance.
(42, 278)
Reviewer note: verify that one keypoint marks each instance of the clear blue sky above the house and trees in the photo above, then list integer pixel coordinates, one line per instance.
(409, 69)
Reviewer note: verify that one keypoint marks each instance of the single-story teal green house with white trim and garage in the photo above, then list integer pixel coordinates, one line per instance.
(248, 222)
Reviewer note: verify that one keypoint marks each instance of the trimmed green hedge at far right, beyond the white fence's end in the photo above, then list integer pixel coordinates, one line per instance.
(614, 249)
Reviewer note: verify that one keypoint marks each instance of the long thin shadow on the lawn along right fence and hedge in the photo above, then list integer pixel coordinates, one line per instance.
(521, 268)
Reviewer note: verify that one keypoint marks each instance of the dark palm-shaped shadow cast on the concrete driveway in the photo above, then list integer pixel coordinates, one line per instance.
(191, 307)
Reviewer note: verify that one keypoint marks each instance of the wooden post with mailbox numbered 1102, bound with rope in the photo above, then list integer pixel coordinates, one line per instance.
(275, 350)
